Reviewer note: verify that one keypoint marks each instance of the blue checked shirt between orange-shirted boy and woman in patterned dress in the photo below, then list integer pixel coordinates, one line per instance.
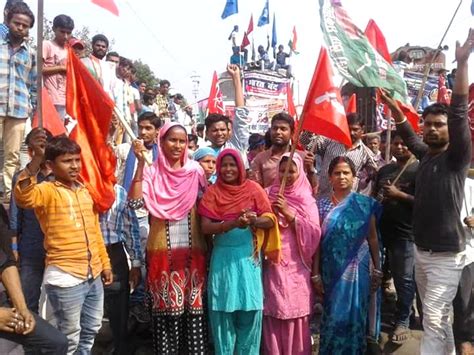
(120, 225)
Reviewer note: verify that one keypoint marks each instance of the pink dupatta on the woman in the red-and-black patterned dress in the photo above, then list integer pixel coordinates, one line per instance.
(170, 194)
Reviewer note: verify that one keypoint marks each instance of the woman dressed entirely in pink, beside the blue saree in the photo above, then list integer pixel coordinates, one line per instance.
(288, 285)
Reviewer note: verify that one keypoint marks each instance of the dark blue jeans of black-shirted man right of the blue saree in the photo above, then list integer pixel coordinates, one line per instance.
(402, 263)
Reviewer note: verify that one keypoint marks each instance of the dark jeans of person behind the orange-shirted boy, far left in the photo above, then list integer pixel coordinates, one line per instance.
(31, 275)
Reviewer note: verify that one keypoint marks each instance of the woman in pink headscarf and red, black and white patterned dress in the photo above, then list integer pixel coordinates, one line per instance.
(176, 250)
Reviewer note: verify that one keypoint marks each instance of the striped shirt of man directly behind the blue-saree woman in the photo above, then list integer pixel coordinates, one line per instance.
(361, 156)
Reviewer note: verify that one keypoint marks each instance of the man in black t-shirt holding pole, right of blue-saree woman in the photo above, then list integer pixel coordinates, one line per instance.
(396, 229)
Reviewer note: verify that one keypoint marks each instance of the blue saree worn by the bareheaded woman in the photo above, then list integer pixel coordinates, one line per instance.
(351, 314)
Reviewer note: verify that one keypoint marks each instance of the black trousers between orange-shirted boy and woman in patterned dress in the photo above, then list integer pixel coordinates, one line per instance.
(116, 297)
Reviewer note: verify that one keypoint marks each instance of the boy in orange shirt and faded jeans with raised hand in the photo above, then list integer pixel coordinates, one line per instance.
(75, 252)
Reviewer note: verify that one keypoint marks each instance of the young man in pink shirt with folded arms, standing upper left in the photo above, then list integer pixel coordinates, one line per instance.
(55, 57)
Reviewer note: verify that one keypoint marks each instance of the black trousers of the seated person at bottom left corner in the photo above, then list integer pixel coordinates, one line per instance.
(44, 339)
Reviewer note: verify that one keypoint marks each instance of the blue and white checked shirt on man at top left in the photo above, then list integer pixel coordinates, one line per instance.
(18, 78)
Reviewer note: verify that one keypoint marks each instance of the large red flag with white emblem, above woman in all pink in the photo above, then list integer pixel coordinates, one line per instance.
(323, 112)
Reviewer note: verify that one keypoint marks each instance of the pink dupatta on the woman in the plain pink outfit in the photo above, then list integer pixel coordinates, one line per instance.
(300, 199)
